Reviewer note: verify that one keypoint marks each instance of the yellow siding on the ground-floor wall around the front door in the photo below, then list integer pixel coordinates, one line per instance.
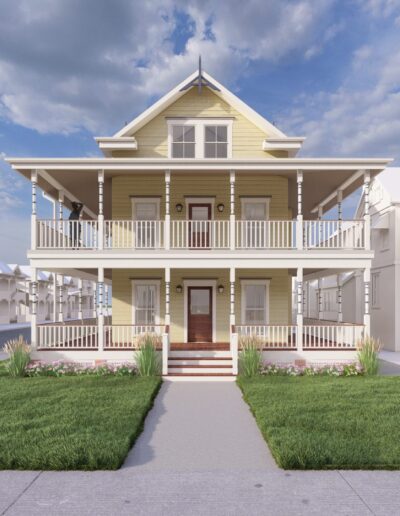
(279, 301)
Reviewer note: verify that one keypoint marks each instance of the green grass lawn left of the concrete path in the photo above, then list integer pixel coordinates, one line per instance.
(72, 422)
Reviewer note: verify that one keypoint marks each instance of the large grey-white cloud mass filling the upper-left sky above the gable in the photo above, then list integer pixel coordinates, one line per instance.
(69, 65)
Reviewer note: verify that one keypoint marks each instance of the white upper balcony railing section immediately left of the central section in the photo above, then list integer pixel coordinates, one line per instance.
(134, 234)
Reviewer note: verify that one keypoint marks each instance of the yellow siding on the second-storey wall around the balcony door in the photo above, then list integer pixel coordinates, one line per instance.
(209, 185)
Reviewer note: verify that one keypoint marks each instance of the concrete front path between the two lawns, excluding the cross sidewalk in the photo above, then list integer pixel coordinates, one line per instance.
(191, 418)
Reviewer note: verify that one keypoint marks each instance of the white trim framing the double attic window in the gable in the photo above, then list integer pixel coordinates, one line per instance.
(199, 134)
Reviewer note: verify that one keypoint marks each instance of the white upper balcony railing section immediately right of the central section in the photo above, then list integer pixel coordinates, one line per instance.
(265, 234)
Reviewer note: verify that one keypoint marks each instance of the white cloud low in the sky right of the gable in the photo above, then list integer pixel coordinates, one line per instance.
(361, 117)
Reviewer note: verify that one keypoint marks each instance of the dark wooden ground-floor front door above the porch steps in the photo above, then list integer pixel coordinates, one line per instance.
(199, 314)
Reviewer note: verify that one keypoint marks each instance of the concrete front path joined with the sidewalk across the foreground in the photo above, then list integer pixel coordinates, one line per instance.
(200, 453)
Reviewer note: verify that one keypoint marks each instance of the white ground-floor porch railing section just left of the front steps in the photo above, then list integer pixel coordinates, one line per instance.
(125, 336)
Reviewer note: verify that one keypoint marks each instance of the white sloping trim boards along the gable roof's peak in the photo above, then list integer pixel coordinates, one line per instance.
(181, 89)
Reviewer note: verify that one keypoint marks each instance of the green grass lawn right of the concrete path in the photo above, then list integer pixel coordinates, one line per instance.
(328, 423)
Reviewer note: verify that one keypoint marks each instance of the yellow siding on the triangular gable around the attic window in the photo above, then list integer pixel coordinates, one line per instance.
(247, 138)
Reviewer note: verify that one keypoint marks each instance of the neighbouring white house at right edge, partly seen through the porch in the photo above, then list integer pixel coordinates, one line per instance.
(339, 297)
